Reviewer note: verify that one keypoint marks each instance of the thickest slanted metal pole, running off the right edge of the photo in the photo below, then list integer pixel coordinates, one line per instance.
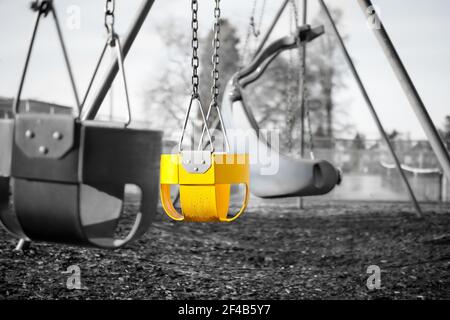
(408, 87)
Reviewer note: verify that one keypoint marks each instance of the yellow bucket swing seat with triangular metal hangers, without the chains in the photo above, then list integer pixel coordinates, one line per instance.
(204, 179)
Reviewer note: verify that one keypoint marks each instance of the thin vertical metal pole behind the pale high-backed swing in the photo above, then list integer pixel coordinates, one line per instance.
(302, 92)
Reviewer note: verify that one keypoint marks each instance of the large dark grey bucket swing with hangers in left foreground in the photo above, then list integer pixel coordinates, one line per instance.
(64, 186)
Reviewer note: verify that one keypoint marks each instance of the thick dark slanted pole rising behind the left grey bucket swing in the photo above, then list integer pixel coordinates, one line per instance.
(91, 112)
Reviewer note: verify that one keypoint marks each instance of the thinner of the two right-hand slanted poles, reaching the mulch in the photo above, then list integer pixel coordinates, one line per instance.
(371, 107)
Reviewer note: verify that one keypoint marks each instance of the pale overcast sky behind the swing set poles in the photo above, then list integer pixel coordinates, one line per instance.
(419, 29)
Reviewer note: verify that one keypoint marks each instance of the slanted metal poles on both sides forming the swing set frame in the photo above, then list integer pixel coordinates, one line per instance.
(387, 46)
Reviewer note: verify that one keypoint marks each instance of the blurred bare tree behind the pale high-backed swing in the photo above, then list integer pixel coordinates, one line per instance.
(275, 97)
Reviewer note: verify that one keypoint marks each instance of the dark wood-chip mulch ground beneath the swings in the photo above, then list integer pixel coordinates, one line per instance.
(272, 252)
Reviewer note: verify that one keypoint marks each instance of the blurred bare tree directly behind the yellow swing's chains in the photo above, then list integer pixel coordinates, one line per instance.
(169, 96)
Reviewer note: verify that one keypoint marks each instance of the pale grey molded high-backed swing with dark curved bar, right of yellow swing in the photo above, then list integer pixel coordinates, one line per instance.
(274, 175)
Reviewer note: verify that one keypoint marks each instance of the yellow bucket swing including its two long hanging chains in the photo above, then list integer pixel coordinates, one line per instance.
(204, 177)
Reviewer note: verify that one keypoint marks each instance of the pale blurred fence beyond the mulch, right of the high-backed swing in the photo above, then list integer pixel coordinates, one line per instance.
(369, 172)
